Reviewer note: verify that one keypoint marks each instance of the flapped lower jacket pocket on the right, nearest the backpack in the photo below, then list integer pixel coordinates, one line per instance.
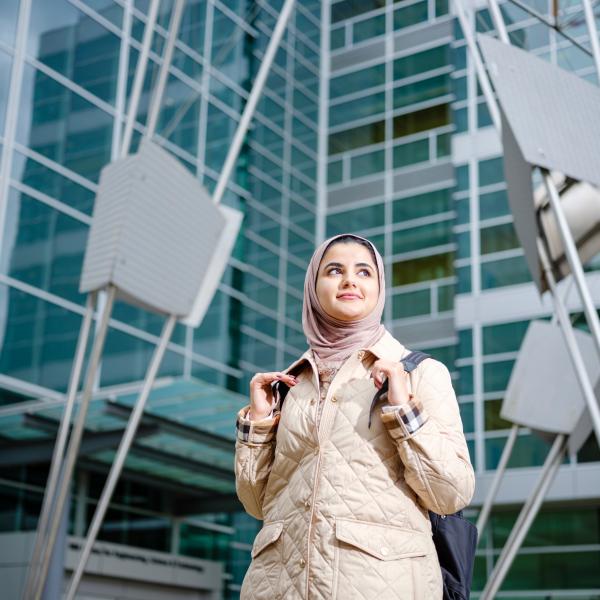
(374, 561)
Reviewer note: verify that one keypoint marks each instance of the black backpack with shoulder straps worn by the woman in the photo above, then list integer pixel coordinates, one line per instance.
(454, 537)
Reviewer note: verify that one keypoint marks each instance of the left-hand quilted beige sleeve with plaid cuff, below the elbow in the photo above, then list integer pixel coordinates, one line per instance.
(254, 453)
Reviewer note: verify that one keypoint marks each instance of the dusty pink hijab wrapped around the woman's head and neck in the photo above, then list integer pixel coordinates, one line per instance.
(330, 339)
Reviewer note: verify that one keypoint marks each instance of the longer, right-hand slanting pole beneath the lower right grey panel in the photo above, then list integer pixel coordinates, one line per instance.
(525, 519)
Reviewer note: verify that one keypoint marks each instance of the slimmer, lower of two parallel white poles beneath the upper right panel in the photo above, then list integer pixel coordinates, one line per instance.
(587, 387)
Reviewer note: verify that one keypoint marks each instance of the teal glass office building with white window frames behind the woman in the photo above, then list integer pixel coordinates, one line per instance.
(371, 122)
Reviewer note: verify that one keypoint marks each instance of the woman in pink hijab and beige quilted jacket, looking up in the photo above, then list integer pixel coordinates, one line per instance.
(345, 504)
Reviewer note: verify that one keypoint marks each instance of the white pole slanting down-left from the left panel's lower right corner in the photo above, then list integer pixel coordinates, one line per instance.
(119, 461)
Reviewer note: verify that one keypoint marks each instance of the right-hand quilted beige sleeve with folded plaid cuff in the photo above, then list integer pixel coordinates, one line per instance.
(431, 443)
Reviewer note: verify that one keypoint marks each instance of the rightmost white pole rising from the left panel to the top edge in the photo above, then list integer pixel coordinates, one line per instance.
(255, 94)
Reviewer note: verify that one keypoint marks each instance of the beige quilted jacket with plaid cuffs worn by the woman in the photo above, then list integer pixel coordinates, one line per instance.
(344, 505)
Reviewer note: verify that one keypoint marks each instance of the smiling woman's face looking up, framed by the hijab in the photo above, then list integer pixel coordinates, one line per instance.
(347, 282)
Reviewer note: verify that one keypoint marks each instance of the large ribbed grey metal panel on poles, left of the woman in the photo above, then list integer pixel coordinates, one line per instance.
(157, 236)
